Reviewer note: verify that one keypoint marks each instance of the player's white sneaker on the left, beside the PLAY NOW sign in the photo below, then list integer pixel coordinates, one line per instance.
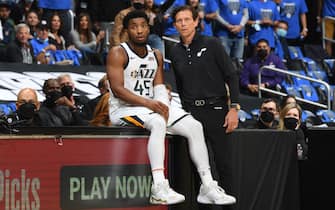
(161, 193)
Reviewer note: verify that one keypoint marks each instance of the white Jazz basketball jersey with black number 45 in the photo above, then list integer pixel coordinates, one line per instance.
(140, 72)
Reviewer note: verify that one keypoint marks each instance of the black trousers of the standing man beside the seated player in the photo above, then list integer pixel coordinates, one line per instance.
(212, 119)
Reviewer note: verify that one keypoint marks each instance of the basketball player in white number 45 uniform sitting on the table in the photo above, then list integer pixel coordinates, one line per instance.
(139, 97)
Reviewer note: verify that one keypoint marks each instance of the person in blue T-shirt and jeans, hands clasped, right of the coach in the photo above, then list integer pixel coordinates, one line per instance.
(232, 18)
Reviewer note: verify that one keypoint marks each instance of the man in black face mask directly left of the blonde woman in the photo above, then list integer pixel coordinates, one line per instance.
(268, 115)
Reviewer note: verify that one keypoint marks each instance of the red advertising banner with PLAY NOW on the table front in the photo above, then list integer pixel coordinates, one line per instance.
(75, 173)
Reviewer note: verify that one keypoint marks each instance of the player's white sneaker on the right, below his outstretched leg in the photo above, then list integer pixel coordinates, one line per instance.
(214, 194)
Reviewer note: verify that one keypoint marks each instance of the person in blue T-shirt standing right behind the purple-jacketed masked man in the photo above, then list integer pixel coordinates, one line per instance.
(263, 16)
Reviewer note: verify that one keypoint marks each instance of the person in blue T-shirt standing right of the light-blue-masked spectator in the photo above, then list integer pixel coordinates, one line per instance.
(294, 13)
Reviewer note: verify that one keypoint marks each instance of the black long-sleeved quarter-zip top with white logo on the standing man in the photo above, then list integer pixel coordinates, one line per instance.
(202, 69)
